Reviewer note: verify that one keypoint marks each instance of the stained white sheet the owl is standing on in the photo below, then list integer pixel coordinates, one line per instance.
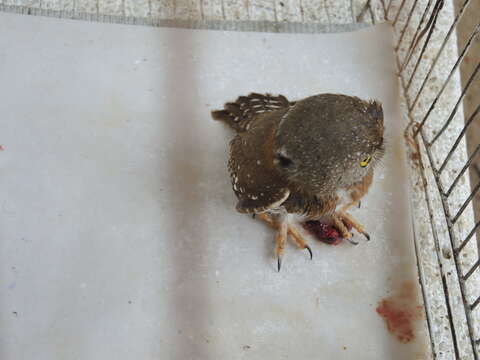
(118, 233)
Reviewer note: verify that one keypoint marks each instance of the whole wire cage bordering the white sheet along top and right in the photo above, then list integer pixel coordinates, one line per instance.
(437, 50)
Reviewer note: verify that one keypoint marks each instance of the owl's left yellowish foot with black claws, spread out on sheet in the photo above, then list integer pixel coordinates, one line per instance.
(284, 228)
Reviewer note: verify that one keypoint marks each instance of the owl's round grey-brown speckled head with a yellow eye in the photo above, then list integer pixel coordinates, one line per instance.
(329, 141)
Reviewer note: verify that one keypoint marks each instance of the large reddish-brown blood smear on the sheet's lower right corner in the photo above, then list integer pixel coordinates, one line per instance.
(400, 313)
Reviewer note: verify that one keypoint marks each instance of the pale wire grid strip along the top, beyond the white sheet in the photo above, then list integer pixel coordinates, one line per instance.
(245, 15)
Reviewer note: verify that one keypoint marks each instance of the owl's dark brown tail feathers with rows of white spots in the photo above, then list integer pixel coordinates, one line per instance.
(240, 114)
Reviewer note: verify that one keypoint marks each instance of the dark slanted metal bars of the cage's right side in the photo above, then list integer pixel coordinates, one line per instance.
(418, 134)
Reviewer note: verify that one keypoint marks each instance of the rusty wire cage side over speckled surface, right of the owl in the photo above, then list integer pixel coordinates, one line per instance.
(428, 67)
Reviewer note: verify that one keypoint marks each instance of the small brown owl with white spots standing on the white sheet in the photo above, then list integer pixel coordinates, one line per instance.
(303, 161)
